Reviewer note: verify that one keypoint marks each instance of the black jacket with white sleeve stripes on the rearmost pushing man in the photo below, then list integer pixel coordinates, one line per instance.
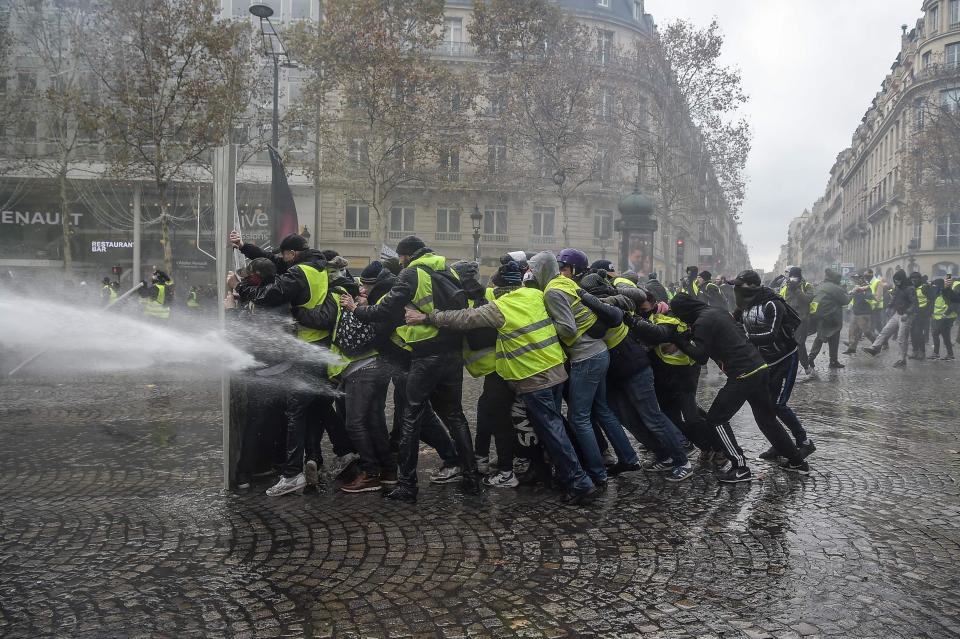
(762, 313)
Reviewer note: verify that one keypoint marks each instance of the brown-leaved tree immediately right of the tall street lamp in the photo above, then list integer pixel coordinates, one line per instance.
(383, 106)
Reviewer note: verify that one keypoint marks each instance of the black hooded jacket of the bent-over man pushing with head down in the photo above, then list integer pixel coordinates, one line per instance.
(715, 335)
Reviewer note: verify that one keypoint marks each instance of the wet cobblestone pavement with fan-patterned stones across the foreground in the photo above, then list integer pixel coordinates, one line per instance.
(113, 524)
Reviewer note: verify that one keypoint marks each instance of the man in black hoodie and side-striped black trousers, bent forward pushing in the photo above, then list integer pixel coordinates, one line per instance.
(716, 336)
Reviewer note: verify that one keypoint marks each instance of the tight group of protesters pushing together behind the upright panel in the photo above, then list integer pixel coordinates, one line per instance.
(623, 353)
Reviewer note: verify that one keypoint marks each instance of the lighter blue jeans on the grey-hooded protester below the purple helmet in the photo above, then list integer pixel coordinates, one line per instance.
(587, 395)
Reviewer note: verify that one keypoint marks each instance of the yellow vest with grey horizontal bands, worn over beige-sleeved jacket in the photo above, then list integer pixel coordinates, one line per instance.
(527, 343)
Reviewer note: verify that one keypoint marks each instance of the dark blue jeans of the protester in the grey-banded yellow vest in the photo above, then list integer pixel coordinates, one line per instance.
(543, 411)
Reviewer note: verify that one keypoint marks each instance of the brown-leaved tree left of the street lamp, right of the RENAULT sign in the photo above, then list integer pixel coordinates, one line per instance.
(174, 79)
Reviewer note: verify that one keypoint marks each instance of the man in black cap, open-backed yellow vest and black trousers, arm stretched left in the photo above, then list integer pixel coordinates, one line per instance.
(436, 366)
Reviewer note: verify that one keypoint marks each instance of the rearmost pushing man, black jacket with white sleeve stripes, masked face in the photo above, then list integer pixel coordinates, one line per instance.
(770, 325)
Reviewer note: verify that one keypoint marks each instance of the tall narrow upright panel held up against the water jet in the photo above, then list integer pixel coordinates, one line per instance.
(225, 204)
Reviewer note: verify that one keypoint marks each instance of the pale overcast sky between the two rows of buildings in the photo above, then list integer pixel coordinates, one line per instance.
(811, 69)
